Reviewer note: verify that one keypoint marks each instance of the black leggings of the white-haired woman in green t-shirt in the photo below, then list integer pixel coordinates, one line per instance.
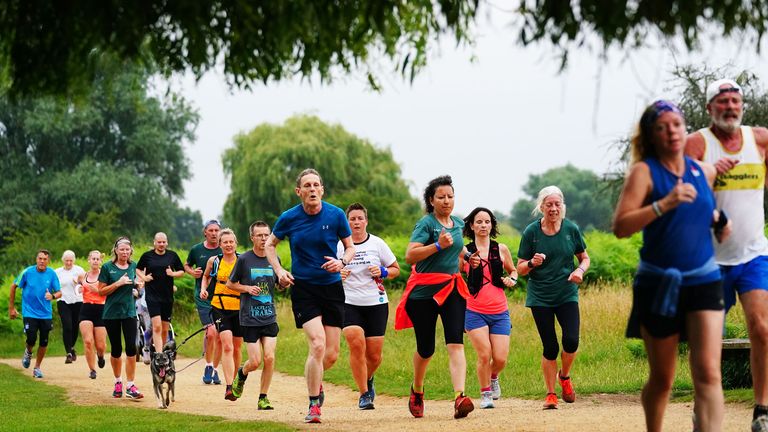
(568, 316)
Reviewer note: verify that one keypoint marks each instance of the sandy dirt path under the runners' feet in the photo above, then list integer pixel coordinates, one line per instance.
(340, 413)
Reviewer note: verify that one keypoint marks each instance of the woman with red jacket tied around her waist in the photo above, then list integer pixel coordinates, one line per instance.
(434, 288)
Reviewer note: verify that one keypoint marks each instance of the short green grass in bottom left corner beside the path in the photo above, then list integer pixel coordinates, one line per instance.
(26, 404)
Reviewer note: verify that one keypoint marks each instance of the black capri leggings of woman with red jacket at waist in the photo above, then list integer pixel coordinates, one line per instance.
(423, 314)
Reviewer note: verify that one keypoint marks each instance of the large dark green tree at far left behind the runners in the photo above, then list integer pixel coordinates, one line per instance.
(117, 147)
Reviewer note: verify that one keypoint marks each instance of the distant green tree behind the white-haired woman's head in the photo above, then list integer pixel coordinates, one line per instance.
(587, 204)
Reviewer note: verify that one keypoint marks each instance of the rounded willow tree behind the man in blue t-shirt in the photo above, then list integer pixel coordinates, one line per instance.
(263, 165)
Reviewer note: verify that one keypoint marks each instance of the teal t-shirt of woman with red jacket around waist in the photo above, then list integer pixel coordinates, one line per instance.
(427, 231)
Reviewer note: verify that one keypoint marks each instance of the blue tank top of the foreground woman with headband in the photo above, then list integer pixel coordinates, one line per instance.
(680, 238)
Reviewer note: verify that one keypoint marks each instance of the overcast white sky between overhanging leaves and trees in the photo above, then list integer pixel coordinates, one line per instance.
(489, 115)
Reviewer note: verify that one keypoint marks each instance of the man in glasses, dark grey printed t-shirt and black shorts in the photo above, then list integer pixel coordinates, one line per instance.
(255, 279)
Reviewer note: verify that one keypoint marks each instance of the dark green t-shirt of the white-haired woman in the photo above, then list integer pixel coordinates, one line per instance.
(548, 284)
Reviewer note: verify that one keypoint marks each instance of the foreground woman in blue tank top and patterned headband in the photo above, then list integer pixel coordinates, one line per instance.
(677, 292)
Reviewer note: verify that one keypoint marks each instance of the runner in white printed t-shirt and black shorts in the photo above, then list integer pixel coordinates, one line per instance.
(366, 307)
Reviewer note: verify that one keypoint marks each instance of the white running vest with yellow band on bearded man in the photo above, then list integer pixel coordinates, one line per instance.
(740, 193)
